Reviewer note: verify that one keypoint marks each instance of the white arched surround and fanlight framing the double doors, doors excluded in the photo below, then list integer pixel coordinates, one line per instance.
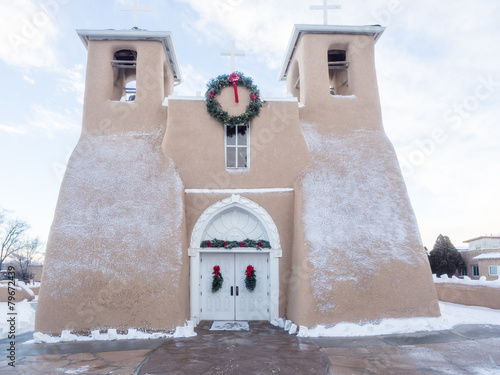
(235, 218)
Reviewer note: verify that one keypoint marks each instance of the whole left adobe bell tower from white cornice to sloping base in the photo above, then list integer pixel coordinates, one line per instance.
(119, 221)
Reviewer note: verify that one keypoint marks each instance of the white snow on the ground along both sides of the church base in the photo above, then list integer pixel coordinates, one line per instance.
(451, 315)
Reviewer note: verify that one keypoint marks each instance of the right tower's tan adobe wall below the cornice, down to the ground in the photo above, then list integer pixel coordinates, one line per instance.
(357, 252)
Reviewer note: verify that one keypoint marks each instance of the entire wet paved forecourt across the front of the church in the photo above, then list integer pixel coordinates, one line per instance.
(467, 350)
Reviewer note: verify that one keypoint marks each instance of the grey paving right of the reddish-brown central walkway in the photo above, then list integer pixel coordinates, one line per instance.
(465, 350)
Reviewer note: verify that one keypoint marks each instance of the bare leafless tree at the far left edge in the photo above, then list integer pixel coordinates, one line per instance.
(11, 236)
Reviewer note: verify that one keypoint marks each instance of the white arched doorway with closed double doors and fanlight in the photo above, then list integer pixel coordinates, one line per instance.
(235, 218)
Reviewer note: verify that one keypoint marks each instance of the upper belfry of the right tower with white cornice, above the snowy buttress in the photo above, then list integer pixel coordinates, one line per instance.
(331, 71)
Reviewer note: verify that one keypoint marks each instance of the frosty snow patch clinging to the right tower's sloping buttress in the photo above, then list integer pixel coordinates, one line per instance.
(356, 213)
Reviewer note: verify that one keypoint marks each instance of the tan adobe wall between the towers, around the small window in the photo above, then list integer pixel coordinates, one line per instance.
(195, 141)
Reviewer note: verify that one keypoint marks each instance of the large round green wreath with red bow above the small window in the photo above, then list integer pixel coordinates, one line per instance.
(215, 86)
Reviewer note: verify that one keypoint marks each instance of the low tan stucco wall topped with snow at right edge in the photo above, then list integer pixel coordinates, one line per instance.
(469, 295)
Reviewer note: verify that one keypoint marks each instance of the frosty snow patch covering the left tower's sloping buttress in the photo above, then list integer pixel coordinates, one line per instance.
(120, 211)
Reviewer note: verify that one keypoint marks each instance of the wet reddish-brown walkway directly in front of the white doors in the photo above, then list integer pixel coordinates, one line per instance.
(264, 349)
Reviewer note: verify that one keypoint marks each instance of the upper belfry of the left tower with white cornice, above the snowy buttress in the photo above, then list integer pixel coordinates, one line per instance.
(129, 74)
